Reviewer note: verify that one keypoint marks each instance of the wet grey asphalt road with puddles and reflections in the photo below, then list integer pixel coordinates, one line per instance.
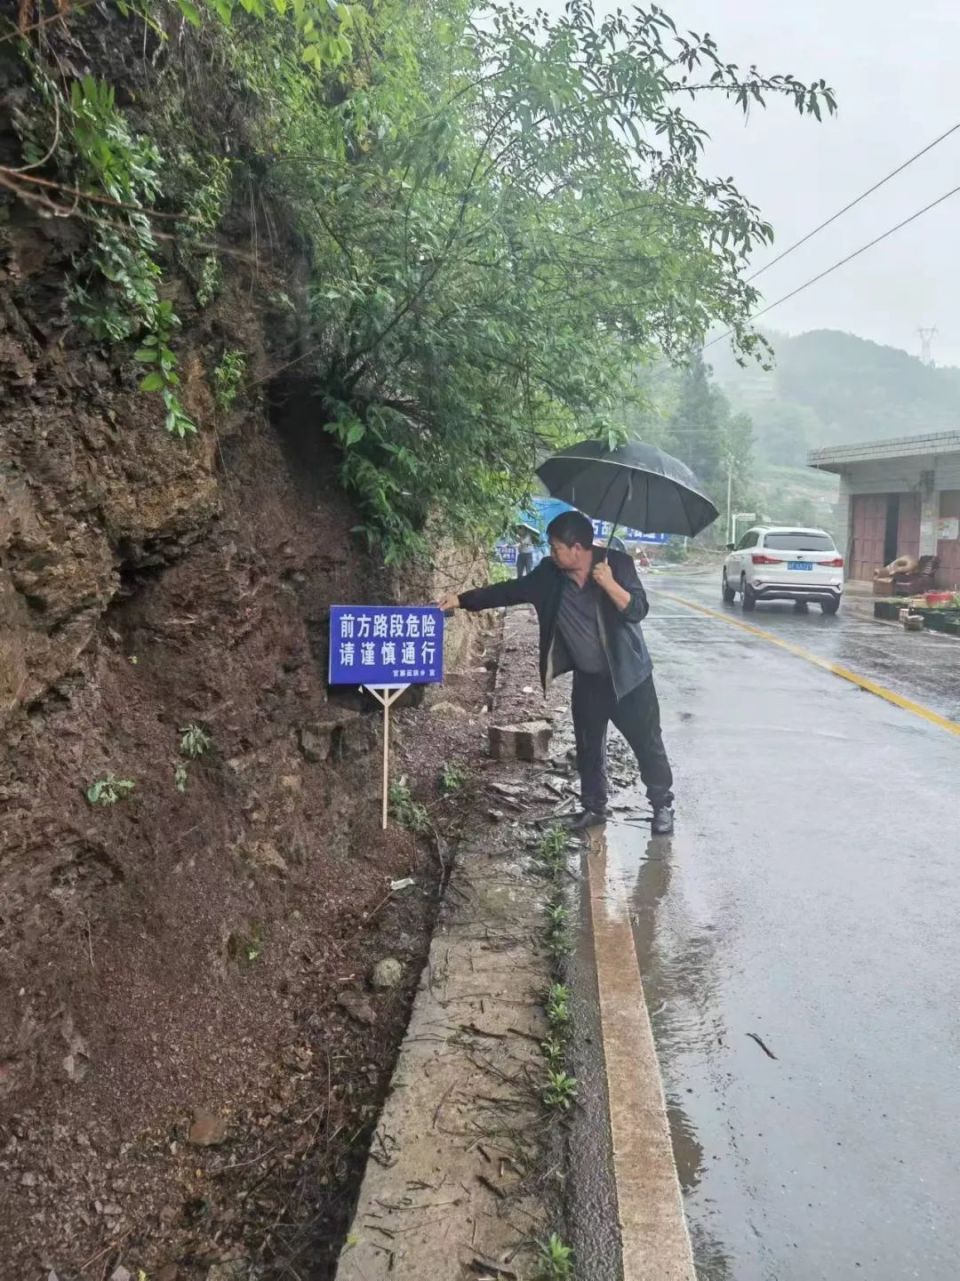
(811, 899)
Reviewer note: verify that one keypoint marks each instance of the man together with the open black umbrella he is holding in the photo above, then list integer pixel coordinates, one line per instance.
(590, 605)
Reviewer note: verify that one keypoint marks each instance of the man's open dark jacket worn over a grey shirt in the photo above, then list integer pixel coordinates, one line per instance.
(621, 633)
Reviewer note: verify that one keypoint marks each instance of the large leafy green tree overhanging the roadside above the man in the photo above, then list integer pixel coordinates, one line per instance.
(499, 270)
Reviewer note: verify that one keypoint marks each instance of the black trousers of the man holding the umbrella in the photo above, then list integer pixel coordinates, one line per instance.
(638, 717)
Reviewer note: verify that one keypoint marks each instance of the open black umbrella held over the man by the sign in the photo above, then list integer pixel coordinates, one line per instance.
(635, 484)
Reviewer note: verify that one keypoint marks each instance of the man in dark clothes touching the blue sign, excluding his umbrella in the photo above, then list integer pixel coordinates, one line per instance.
(590, 605)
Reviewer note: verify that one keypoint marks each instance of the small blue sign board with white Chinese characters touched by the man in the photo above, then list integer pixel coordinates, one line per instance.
(386, 646)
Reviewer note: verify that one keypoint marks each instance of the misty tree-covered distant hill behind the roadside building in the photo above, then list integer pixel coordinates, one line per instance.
(830, 388)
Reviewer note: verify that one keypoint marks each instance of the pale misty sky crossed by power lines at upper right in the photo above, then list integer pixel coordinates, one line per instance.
(895, 71)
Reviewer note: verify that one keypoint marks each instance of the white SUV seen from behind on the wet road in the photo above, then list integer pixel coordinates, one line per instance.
(780, 563)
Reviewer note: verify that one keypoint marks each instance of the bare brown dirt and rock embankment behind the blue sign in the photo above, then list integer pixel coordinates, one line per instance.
(192, 1056)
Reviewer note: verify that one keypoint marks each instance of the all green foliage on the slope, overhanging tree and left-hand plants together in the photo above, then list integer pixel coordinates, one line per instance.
(501, 216)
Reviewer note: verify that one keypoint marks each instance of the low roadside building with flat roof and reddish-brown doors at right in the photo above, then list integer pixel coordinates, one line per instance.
(898, 499)
